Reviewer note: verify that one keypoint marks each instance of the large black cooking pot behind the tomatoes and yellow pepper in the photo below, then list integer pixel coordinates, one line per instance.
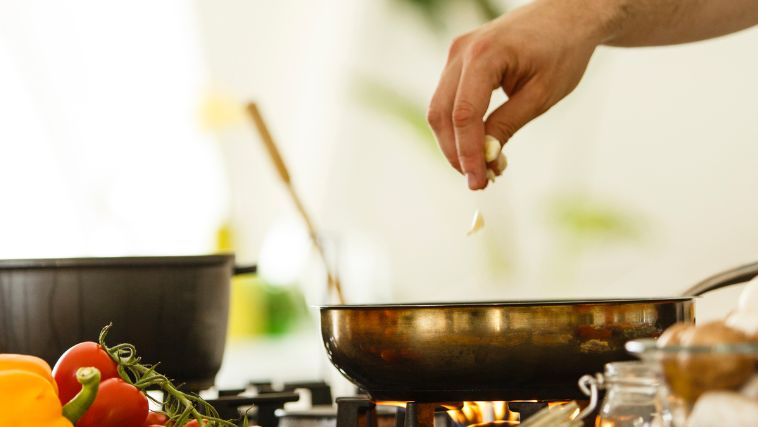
(173, 309)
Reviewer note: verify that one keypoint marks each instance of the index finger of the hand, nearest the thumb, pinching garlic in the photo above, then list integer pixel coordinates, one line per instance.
(471, 101)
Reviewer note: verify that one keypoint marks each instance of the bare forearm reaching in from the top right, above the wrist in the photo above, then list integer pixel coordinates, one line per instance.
(661, 22)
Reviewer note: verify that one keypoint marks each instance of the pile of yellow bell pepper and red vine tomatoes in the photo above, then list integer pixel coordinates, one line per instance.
(94, 385)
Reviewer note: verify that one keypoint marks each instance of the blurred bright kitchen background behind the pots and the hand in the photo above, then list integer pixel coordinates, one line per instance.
(123, 133)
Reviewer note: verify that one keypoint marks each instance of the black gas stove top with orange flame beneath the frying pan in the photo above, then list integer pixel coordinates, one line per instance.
(285, 406)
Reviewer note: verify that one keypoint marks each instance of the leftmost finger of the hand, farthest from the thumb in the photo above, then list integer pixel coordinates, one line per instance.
(440, 113)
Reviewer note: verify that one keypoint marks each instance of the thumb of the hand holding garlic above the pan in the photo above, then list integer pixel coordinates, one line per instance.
(525, 105)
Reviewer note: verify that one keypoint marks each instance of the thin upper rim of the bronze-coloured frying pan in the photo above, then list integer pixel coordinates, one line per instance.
(512, 303)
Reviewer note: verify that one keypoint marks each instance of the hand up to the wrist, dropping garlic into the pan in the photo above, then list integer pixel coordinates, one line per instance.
(537, 54)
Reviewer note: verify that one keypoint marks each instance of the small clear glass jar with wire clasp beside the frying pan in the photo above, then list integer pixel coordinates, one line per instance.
(633, 396)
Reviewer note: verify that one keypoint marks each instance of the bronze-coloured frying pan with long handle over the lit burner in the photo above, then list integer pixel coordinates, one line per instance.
(512, 350)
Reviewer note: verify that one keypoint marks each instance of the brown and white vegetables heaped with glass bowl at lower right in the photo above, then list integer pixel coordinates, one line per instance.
(711, 369)
